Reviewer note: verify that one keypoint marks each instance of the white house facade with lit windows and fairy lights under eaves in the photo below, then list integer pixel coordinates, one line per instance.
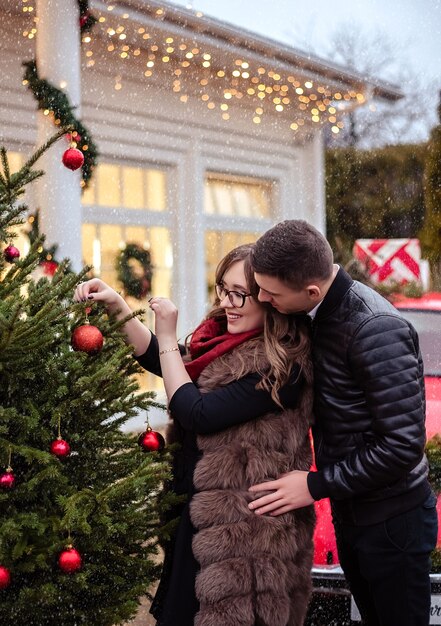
(207, 134)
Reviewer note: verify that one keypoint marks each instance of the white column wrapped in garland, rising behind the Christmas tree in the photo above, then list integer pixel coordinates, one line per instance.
(59, 192)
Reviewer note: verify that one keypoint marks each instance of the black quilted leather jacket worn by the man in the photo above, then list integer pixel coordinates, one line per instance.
(369, 408)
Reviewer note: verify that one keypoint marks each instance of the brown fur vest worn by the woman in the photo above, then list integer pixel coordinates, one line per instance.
(255, 570)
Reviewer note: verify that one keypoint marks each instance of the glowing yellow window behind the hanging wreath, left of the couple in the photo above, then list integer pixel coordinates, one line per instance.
(126, 204)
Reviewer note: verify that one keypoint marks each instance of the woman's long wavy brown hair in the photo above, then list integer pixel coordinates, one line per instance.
(286, 339)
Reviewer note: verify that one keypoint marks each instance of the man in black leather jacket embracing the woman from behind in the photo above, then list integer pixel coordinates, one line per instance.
(369, 432)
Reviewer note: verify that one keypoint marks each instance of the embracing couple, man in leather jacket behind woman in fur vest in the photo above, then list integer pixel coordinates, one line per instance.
(291, 342)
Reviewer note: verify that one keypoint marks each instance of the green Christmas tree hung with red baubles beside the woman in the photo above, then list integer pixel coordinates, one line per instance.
(79, 498)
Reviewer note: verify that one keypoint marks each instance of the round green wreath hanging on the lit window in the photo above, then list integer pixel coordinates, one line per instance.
(136, 278)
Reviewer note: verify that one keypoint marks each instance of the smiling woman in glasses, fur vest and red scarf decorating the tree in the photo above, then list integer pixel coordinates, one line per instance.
(241, 403)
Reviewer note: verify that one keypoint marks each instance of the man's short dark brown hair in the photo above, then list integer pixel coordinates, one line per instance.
(294, 252)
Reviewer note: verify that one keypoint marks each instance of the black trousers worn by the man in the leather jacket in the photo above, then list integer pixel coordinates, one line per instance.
(387, 566)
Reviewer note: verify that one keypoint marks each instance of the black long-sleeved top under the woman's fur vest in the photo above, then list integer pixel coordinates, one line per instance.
(235, 403)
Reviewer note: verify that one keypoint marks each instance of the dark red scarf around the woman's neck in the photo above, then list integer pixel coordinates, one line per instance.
(208, 342)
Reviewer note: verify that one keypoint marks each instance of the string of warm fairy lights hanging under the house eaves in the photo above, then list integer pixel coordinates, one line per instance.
(194, 71)
